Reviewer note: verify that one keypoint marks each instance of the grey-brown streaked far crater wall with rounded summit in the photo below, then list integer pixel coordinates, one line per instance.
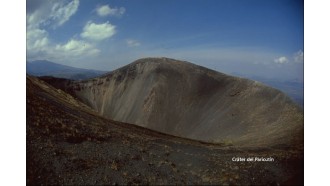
(191, 101)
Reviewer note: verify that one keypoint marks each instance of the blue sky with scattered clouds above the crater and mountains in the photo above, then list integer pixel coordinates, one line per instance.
(254, 38)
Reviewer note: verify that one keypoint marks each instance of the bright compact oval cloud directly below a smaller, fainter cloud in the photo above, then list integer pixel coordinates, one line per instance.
(98, 32)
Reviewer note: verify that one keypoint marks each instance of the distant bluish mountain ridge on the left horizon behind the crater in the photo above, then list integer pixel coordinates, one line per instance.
(47, 68)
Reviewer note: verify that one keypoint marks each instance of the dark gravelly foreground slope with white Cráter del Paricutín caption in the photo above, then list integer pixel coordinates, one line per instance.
(69, 144)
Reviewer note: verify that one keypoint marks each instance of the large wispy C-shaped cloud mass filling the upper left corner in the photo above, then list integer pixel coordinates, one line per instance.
(44, 15)
